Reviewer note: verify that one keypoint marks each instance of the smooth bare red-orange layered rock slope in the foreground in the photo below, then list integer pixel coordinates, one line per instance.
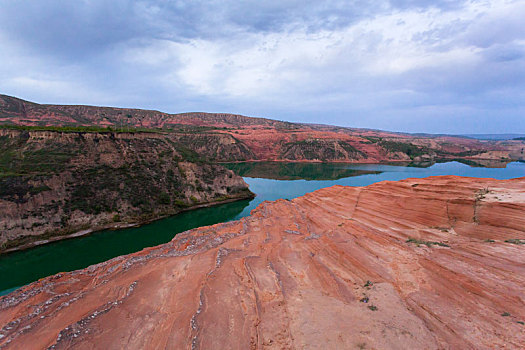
(432, 263)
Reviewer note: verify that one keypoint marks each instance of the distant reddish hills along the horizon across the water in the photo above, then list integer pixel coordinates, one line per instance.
(265, 139)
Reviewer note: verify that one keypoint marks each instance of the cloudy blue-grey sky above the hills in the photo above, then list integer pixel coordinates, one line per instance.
(405, 65)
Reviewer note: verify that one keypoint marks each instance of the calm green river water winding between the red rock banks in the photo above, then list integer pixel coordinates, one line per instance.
(269, 181)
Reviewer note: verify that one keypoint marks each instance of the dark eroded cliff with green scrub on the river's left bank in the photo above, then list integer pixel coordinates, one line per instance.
(55, 183)
